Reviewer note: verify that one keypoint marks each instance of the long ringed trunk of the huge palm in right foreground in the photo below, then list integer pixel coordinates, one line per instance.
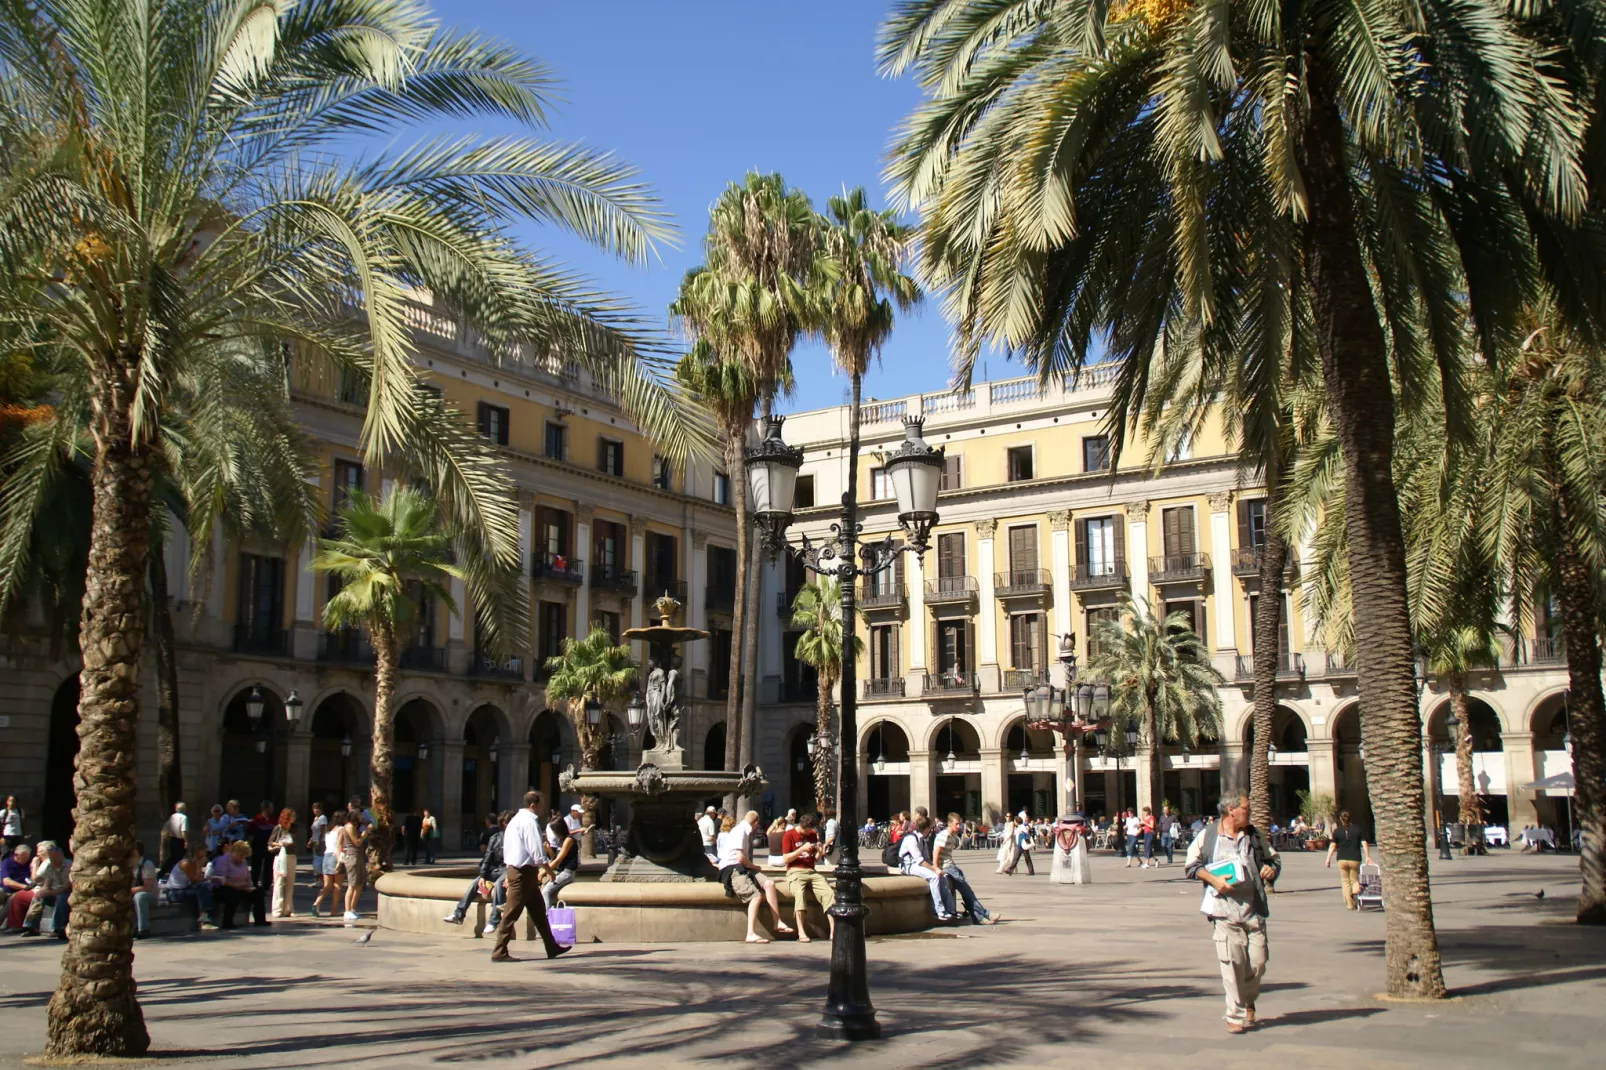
(1356, 374)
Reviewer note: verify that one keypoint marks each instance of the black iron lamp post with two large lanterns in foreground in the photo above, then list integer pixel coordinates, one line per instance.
(915, 472)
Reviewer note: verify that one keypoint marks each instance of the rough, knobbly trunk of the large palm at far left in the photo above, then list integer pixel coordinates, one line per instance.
(96, 1011)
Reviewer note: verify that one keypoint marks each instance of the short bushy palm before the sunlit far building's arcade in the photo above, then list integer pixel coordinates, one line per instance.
(1160, 680)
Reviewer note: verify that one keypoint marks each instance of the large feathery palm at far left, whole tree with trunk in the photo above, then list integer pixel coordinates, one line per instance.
(173, 200)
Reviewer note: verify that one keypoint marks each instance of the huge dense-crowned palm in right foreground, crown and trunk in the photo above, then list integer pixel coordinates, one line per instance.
(1136, 174)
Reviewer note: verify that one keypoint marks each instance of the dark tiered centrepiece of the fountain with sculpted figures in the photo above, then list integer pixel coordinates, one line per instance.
(662, 843)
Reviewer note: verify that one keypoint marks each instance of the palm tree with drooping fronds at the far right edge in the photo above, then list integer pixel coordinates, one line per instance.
(1546, 526)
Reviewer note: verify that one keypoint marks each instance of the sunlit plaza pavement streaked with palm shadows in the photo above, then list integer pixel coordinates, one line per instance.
(1120, 973)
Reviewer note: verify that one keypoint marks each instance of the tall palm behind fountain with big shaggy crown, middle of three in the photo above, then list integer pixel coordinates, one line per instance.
(754, 301)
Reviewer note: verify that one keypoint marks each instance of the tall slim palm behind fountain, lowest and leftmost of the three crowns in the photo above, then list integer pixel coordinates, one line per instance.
(727, 390)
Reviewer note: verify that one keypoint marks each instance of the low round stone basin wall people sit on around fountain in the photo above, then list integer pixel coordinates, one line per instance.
(645, 913)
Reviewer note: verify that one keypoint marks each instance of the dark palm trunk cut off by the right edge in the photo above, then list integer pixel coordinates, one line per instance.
(1586, 706)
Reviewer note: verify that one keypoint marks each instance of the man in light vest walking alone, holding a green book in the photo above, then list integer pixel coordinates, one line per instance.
(1236, 862)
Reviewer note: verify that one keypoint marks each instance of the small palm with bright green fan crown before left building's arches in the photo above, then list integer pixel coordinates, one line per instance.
(388, 552)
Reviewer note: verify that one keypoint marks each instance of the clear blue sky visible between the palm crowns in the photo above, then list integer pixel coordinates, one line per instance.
(698, 92)
